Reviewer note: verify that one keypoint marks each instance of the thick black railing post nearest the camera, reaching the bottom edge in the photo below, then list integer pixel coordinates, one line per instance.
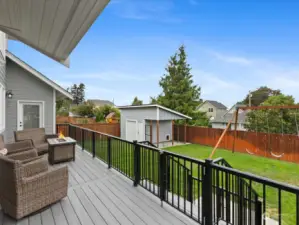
(207, 195)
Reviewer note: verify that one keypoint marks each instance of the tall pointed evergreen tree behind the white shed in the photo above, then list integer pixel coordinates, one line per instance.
(178, 89)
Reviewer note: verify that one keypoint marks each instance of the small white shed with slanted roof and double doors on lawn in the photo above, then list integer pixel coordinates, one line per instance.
(153, 123)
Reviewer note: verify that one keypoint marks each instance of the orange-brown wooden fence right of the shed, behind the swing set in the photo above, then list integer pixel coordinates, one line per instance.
(260, 144)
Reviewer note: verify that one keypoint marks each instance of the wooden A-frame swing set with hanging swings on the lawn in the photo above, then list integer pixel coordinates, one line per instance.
(268, 134)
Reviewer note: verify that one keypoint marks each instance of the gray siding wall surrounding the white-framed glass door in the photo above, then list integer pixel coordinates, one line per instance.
(24, 86)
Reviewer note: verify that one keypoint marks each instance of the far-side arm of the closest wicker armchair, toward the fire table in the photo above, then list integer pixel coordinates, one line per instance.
(35, 167)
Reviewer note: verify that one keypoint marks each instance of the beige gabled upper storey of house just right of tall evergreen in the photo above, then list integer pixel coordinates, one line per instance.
(212, 108)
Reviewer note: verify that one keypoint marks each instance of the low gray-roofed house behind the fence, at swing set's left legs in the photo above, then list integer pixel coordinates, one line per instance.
(222, 121)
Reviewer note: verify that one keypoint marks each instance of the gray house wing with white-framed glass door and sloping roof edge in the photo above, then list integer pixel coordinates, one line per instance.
(33, 100)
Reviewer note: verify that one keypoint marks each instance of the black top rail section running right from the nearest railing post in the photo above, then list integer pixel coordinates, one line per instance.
(263, 180)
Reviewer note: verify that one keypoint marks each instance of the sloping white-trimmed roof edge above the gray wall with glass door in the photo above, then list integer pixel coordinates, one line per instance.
(37, 74)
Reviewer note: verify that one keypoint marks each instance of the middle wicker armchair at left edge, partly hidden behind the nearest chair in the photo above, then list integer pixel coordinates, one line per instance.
(16, 147)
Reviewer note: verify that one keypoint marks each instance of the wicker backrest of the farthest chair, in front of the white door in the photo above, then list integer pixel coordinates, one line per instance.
(37, 135)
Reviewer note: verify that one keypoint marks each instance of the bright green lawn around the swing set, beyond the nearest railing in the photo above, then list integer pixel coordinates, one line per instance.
(274, 169)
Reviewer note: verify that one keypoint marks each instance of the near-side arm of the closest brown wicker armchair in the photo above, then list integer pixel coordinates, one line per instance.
(47, 178)
